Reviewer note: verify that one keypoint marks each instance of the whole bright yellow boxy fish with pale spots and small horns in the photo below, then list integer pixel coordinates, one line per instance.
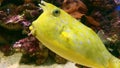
(71, 39)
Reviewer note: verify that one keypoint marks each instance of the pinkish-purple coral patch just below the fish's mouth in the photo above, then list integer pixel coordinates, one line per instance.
(27, 45)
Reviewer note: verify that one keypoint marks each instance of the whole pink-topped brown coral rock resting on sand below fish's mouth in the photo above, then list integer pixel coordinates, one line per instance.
(32, 49)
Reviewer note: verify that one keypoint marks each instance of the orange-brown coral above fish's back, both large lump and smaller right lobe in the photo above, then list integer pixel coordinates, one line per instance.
(78, 10)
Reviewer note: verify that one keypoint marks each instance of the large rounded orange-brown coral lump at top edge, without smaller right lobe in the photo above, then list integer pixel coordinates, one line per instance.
(76, 8)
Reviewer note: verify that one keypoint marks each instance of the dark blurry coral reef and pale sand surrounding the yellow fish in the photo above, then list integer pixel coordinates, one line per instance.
(19, 48)
